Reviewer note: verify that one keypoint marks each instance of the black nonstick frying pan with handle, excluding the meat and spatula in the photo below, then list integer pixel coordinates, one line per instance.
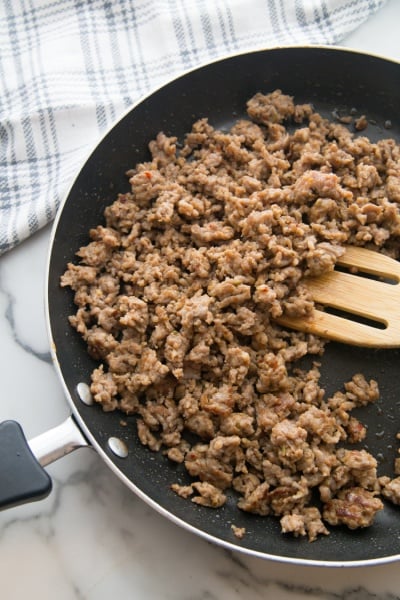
(334, 80)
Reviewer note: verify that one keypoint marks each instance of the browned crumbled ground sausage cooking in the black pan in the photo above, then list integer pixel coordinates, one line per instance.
(177, 295)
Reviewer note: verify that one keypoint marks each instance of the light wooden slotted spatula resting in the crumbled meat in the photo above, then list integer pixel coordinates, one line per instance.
(377, 301)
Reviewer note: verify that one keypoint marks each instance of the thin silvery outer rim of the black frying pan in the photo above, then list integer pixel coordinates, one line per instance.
(290, 560)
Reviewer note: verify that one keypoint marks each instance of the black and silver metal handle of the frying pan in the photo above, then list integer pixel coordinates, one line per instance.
(22, 476)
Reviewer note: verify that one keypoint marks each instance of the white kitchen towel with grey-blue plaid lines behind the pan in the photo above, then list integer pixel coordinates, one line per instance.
(68, 68)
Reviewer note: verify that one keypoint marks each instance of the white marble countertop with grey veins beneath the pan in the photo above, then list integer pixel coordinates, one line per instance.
(92, 539)
